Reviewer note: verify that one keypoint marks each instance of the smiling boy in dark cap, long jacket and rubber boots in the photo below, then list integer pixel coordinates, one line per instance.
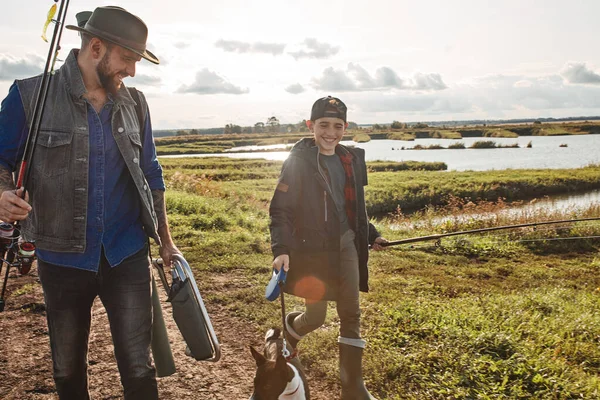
(320, 232)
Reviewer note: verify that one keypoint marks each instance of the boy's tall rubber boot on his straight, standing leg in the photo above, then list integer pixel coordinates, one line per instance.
(353, 387)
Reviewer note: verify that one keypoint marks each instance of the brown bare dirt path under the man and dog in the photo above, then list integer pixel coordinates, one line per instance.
(26, 366)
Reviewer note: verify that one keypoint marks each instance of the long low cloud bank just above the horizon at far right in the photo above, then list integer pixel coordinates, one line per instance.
(492, 96)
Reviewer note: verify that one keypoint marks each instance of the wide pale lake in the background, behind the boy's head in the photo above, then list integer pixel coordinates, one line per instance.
(545, 153)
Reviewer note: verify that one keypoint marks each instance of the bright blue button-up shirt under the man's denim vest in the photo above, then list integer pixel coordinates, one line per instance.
(113, 214)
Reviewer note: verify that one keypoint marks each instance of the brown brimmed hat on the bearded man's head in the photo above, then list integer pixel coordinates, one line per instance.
(118, 26)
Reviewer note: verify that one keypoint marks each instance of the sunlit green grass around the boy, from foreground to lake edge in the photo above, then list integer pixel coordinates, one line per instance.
(477, 317)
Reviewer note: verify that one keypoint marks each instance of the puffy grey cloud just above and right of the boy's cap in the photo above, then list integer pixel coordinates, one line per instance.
(356, 79)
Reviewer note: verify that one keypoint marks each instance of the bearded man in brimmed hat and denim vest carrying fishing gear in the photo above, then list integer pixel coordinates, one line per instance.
(96, 194)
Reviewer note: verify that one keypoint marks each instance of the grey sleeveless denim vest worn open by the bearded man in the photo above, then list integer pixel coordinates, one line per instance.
(58, 181)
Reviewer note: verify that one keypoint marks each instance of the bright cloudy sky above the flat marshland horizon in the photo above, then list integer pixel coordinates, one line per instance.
(241, 62)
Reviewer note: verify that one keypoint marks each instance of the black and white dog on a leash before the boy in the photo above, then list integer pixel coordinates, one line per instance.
(277, 378)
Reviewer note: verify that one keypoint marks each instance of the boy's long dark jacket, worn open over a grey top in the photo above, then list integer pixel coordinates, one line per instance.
(305, 223)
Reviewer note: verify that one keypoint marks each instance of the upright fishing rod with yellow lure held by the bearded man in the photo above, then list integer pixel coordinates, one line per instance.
(16, 252)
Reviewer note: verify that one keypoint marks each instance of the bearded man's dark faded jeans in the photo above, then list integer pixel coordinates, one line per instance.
(125, 292)
